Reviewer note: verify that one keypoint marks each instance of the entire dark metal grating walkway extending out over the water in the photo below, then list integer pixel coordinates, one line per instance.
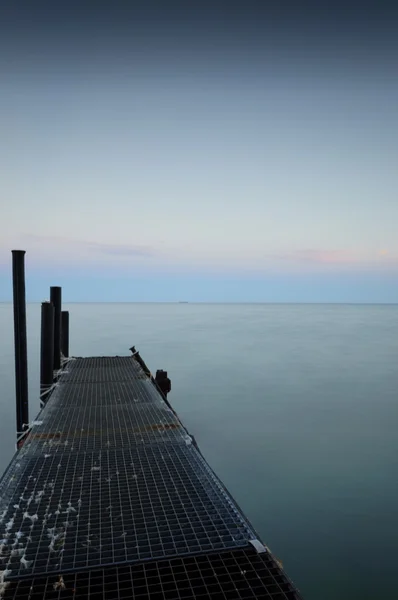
(109, 479)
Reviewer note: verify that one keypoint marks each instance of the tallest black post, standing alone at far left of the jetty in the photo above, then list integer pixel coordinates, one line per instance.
(21, 353)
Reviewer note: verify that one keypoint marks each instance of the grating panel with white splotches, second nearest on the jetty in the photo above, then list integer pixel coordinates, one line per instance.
(82, 510)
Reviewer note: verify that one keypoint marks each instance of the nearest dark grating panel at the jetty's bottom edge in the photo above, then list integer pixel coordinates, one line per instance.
(223, 576)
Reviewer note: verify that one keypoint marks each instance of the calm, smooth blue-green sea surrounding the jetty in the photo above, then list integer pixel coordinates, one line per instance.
(294, 406)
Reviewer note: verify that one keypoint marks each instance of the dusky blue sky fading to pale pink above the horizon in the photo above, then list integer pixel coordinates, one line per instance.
(210, 152)
